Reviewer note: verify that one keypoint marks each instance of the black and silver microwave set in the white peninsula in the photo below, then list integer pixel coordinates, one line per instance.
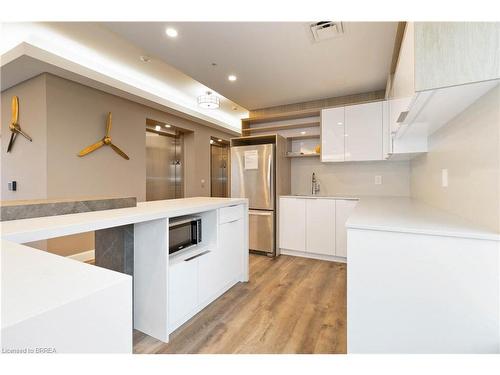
(183, 233)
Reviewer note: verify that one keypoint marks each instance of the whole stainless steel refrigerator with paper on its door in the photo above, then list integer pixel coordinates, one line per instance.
(253, 177)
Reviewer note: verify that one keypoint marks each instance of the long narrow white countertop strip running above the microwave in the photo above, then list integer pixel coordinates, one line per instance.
(27, 230)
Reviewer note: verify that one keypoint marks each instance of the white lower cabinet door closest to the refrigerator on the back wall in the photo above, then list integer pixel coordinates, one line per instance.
(293, 224)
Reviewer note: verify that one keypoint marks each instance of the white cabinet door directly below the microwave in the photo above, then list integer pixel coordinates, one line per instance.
(182, 291)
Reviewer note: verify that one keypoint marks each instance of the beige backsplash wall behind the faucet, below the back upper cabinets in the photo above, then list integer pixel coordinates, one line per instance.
(352, 178)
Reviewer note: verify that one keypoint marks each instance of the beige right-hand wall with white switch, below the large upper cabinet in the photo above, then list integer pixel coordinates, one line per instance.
(469, 147)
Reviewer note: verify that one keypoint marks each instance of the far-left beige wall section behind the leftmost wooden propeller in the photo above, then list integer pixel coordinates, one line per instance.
(26, 163)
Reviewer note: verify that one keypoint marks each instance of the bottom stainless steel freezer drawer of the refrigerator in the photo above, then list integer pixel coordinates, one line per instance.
(261, 230)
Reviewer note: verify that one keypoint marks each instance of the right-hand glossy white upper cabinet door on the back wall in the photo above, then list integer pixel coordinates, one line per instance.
(364, 132)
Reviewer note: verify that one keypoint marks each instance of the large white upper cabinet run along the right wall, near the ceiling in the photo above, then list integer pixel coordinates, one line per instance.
(443, 67)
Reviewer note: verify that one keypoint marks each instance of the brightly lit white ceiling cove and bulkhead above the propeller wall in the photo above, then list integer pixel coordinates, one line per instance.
(92, 54)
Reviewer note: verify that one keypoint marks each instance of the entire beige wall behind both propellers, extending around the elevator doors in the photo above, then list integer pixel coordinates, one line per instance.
(75, 116)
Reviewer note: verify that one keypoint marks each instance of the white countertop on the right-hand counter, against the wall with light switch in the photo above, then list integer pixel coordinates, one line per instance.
(400, 214)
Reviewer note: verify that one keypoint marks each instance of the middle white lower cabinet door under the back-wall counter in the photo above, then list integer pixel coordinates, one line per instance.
(320, 226)
